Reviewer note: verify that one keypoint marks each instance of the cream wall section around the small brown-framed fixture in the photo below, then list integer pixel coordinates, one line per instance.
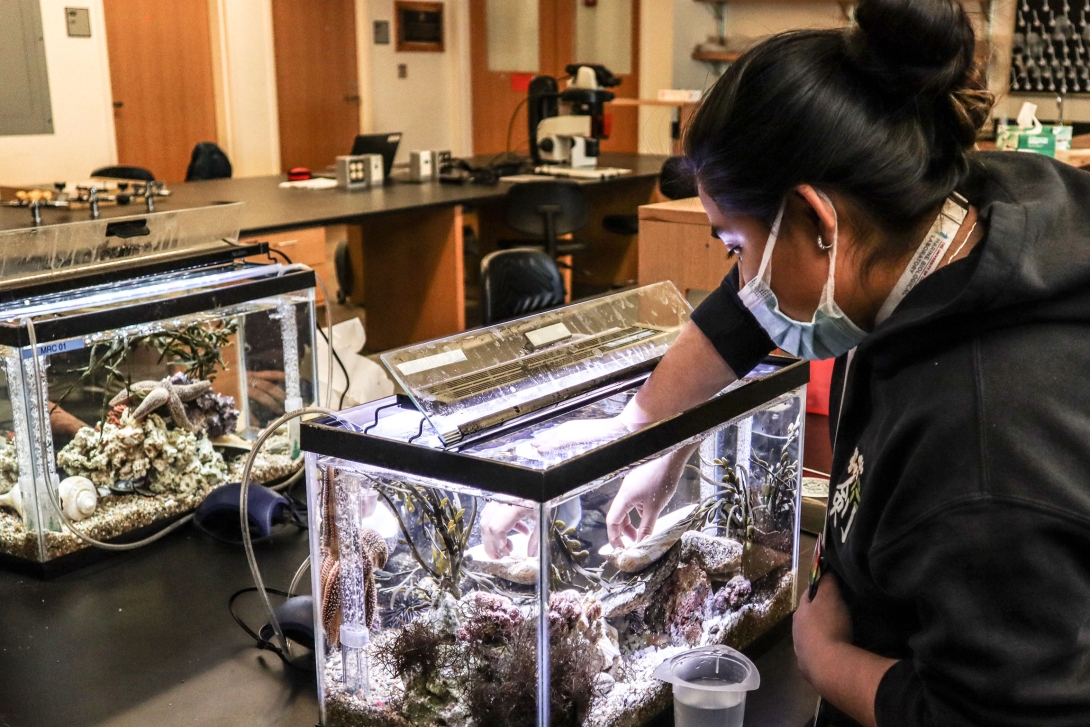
(432, 105)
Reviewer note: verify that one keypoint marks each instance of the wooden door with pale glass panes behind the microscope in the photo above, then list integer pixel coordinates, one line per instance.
(499, 87)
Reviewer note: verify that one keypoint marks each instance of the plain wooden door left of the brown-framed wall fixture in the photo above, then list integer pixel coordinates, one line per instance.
(318, 81)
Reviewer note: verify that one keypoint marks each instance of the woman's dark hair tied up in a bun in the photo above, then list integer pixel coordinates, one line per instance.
(886, 114)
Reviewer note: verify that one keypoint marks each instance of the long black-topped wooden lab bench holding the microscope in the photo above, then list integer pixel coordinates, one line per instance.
(407, 240)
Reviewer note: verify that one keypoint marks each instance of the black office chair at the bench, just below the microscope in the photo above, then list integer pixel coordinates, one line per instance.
(547, 211)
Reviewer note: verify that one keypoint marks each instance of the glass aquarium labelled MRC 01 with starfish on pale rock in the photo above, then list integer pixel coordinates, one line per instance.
(139, 359)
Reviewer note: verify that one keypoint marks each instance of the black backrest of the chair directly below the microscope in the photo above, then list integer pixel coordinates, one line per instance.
(531, 205)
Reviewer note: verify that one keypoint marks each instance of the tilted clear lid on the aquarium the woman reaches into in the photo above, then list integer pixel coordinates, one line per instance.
(471, 383)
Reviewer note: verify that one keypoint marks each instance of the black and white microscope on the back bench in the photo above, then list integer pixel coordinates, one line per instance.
(572, 139)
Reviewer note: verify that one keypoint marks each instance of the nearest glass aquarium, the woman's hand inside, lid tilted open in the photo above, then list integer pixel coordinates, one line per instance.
(474, 563)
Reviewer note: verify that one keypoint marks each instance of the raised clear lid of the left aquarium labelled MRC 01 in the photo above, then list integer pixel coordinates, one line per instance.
(55, 253)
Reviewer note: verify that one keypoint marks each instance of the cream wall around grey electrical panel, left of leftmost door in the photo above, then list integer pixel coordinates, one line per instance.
(82, 104)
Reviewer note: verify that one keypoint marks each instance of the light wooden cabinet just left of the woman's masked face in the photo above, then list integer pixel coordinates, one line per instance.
(676, 245)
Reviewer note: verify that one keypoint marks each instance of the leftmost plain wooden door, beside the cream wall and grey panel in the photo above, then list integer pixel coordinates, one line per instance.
(162, 79)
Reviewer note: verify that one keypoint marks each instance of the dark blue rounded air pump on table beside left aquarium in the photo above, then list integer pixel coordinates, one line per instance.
(219, 515)
